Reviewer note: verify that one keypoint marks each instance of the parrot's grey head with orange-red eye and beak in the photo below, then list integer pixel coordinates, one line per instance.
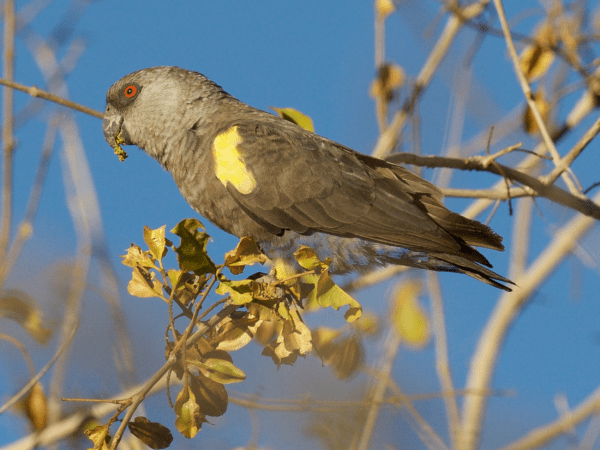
(150, 107)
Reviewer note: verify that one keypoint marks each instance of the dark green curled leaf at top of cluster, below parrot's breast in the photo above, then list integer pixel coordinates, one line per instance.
(191, 253)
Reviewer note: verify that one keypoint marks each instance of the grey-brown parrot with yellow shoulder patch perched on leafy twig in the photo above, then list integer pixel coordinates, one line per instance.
(252, 173)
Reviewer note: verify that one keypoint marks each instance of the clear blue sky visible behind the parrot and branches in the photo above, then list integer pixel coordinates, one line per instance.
(317, 57)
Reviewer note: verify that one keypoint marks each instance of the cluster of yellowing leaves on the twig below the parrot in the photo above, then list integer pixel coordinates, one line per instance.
(267, 307)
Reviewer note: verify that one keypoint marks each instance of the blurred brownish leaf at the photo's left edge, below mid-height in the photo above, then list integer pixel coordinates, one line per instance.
(21, 308)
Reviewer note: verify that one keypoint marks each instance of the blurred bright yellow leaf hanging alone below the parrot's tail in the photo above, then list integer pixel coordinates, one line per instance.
(410, 320)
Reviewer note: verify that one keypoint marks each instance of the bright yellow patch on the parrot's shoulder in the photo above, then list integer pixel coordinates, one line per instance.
(229, 163)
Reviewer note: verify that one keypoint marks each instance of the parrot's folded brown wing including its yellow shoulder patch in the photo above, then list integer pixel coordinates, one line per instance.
(297, 180)
